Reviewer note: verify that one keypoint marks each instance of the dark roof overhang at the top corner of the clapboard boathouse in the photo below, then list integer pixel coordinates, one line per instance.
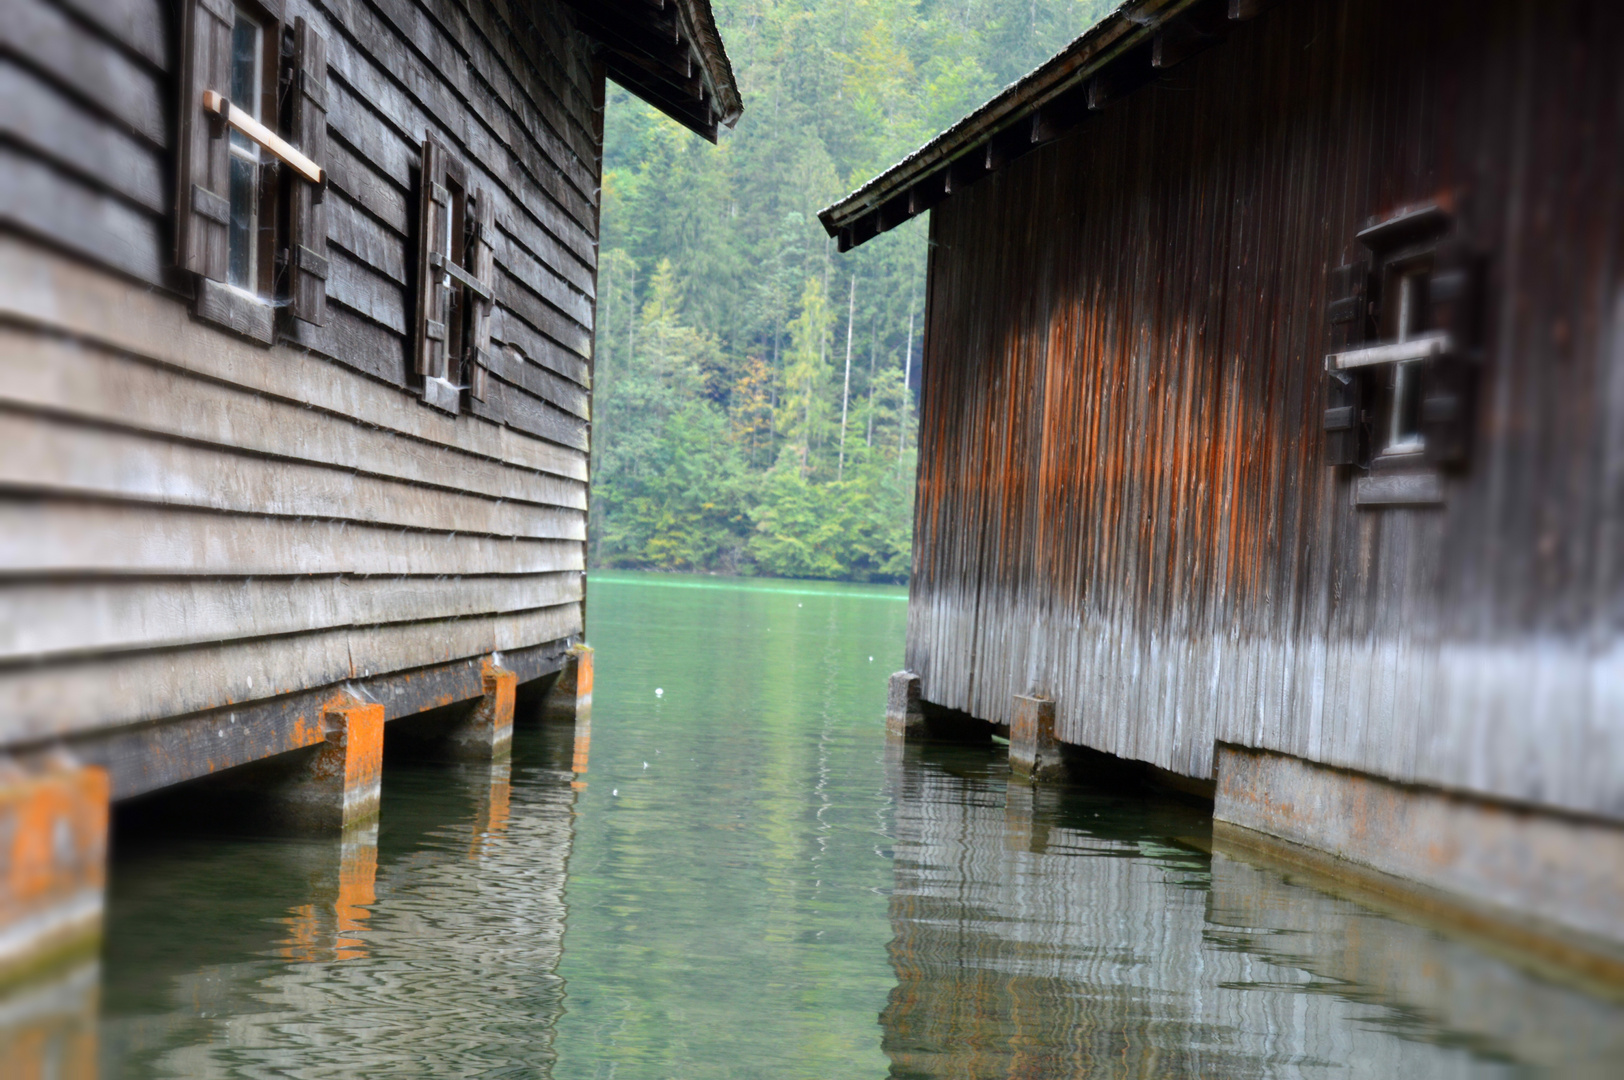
(667, 53)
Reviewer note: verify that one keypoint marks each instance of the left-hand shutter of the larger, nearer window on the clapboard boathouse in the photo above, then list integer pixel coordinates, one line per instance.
(204, 210)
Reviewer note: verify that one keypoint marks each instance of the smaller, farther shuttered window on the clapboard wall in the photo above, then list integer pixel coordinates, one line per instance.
(456, 275)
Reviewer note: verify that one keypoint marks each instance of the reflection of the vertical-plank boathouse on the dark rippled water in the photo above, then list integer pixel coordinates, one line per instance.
(1045, 933)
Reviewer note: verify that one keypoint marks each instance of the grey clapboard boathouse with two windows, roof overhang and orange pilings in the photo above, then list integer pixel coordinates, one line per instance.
(296, 330)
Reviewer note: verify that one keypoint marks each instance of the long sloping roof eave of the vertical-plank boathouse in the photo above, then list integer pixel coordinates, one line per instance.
(1113, 59)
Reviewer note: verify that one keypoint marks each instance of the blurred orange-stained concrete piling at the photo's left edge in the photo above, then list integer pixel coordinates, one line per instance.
(53, 863)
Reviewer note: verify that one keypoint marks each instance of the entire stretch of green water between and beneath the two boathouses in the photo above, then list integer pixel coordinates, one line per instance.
(733, 875)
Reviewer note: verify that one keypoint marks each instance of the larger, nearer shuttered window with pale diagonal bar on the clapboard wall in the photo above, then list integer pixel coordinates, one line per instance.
(254, 134)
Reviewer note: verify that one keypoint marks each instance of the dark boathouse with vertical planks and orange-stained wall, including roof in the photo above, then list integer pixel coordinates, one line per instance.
(1274, 431)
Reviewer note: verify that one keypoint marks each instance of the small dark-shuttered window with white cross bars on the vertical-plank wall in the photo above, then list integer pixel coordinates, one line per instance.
(1399, 384)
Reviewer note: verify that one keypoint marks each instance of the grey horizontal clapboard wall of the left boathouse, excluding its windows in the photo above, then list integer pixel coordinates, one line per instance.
(192, 522)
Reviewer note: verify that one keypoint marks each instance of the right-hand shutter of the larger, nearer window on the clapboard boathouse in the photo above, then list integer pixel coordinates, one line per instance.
(308, 212)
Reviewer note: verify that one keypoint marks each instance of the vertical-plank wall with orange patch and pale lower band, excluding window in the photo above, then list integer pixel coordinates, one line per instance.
(1123, 499)
